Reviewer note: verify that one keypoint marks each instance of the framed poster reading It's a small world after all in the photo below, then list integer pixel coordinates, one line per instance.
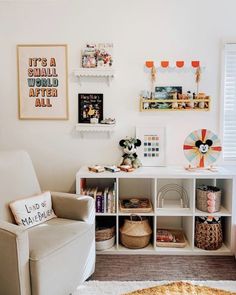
(42, 82)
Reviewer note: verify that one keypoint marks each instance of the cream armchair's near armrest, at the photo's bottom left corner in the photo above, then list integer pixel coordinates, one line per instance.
(14, 259)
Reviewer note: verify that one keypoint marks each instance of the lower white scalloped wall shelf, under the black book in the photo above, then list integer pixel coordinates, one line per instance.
(85, 128)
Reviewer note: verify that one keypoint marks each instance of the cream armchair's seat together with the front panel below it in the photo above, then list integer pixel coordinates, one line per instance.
(62, 255)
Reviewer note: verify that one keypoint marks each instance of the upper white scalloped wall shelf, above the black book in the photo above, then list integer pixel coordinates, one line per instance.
(108, 74)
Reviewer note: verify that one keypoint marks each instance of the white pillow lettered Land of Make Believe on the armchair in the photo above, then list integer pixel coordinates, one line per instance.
(34, 210)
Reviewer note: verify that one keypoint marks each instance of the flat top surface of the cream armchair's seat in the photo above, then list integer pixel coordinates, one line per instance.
(52, 235)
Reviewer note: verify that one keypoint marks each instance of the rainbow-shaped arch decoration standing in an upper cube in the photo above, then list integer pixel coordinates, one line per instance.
(183, 201)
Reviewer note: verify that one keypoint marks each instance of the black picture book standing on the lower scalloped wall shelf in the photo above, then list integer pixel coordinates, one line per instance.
(90, 106)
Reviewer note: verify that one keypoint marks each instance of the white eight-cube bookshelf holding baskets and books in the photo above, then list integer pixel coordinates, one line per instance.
(147, 182)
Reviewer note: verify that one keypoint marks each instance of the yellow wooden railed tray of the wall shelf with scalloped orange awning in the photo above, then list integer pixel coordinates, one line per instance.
(199, 104)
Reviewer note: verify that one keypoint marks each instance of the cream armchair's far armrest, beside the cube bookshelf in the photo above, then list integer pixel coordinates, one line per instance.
(72, 206)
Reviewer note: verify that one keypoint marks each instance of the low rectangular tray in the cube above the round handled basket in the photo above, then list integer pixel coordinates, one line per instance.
(136, 205)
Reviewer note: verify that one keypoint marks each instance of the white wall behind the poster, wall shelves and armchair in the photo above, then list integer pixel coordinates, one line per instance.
(140, 30)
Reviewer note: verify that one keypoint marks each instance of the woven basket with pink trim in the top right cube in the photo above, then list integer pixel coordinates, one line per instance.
(208, 198)
